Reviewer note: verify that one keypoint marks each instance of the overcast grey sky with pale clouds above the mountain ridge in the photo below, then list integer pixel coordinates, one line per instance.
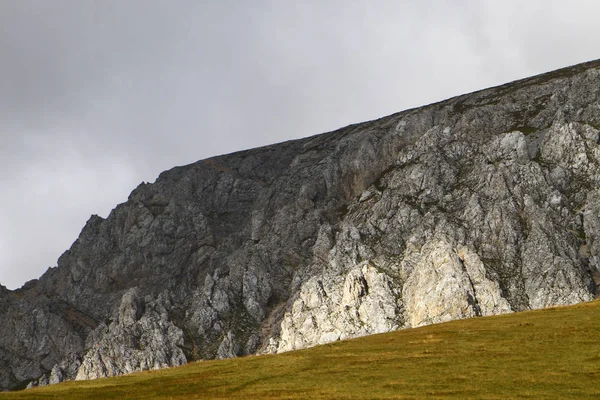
(97, 96)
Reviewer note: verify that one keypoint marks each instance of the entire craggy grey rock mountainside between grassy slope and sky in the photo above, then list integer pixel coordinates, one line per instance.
(482, 204)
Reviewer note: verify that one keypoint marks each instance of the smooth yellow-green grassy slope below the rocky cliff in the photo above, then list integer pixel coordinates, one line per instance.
(552, 353)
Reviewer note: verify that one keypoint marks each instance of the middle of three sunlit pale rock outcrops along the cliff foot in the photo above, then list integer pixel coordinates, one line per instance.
(361, 302)
